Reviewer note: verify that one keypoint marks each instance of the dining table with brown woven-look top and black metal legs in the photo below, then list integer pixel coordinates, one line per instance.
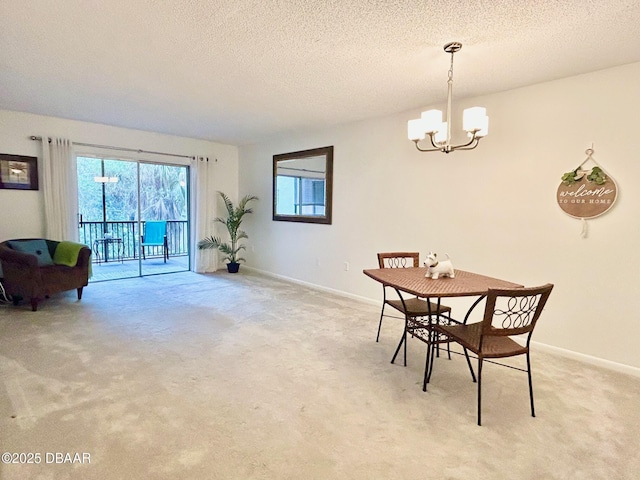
(414, 281)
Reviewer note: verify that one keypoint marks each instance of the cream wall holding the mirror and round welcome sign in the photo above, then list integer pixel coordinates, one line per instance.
(493, 209)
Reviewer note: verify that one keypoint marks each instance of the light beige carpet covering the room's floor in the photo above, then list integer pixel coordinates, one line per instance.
(246, 377)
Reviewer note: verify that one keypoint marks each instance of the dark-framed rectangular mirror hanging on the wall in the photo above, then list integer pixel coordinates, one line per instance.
(303, 186)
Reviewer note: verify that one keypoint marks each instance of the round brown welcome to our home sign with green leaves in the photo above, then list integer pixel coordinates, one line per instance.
(586, 193)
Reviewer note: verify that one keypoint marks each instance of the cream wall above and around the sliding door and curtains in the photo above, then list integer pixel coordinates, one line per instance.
(22, 212)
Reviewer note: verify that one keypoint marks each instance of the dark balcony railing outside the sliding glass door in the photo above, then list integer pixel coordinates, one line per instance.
(177, 237)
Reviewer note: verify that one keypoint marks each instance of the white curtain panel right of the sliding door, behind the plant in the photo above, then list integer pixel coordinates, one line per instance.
(202, 215)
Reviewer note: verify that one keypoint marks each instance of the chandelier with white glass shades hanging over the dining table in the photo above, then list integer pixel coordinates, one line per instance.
(474, 121)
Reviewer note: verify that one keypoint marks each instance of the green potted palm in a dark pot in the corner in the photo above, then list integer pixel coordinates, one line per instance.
(232, 222)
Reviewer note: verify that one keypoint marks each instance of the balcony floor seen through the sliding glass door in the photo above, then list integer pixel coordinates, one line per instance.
(113, 270)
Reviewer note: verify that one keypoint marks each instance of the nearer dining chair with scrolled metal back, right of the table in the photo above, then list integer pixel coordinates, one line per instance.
(507, 313)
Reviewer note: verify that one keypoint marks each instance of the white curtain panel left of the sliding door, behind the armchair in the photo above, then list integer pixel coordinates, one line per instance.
(60, 186)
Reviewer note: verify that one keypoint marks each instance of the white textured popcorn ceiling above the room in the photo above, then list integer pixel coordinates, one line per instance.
(240, 71)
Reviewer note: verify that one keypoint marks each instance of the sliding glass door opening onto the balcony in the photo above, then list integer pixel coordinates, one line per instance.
(134, 216)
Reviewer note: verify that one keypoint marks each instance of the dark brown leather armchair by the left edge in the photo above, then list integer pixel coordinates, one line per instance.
(25, 279)
